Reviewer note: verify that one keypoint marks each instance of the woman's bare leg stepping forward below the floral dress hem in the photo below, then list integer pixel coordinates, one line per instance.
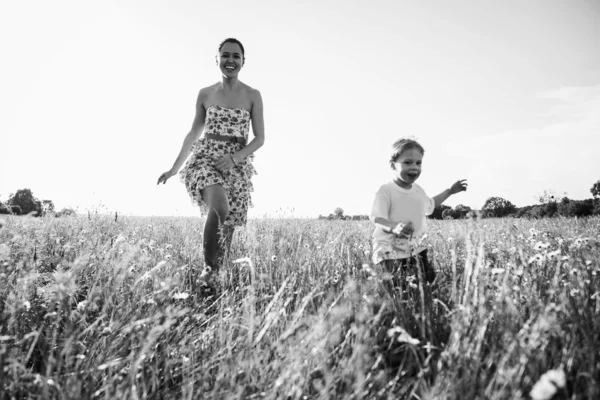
(218, 209)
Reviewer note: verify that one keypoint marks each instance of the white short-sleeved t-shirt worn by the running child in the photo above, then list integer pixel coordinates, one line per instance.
(399, 205)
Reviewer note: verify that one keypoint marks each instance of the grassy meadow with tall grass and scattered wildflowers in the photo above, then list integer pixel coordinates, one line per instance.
(104, 309)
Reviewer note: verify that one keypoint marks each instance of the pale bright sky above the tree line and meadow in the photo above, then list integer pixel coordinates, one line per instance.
(97, 97)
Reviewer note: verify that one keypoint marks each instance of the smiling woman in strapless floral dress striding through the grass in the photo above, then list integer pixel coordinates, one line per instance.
(218, 174)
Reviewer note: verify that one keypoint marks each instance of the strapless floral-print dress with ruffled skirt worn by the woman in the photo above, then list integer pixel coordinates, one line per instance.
(200, 171)
